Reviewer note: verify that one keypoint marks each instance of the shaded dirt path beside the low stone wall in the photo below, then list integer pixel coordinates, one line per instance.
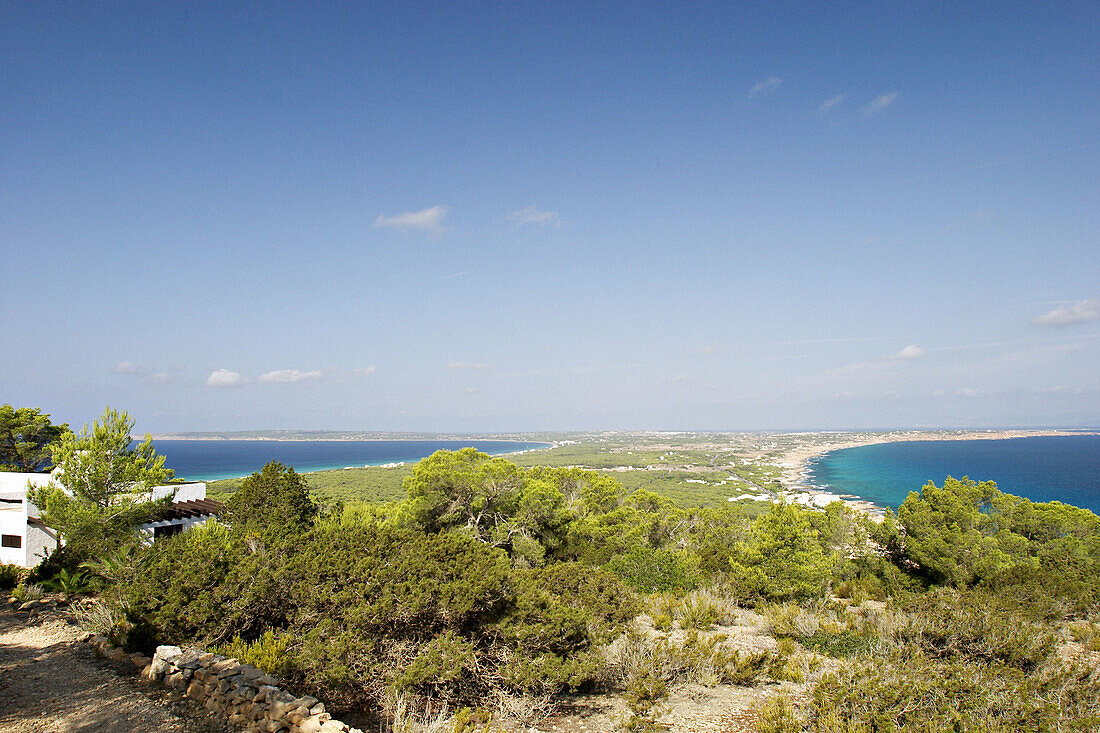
(50, 683)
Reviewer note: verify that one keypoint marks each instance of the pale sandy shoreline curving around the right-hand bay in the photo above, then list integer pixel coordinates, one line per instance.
(796, 463)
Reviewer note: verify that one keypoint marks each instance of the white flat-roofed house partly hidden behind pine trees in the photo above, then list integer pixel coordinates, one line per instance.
(25, 540)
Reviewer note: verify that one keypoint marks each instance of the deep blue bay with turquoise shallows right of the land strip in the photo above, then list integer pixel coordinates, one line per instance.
(1043, 469)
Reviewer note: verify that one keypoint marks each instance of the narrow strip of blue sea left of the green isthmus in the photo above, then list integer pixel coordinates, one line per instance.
(210, 461)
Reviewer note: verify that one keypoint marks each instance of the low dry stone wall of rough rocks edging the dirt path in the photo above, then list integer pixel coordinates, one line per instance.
(247, 696)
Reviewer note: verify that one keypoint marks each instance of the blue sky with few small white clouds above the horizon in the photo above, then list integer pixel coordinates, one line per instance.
(552, 216)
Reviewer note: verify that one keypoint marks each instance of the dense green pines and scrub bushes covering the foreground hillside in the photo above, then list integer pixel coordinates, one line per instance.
(491, 582)
